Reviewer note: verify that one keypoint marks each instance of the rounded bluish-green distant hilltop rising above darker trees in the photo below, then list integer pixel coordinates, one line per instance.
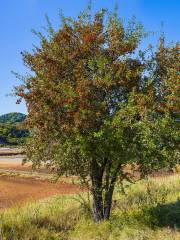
(12, 118)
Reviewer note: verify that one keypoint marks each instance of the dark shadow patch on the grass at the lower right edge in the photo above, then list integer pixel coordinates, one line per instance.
(165, 215)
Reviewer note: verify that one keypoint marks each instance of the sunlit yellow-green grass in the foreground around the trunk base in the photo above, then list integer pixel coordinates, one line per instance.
(150, 210)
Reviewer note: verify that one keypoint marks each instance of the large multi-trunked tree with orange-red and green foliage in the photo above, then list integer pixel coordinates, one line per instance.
(96, 104)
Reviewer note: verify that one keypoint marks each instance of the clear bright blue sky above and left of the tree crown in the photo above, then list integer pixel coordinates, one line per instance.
(18, 17)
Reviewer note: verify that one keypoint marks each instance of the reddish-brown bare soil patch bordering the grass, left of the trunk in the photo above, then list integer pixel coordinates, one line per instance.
(14, 190)
